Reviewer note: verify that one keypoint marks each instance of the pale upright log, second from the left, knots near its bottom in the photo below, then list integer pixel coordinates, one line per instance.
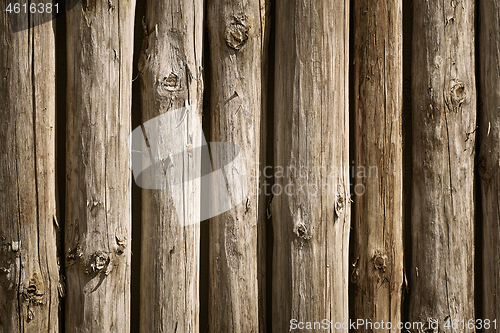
(98, 198)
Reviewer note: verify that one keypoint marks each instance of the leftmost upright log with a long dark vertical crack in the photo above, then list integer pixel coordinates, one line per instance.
(29, 272)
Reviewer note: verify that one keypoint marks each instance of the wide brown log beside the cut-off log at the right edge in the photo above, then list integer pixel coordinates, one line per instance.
(444, 123)
